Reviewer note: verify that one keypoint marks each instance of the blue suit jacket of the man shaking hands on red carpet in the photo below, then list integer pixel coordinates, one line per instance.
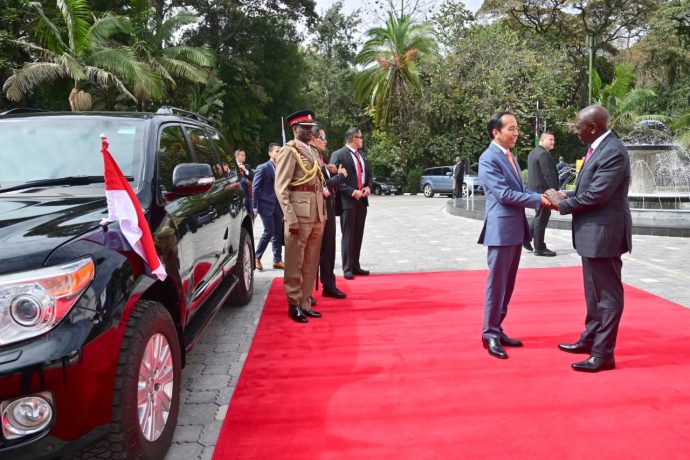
(505, 223)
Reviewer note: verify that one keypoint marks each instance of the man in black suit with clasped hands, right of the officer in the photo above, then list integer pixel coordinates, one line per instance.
(353, 196)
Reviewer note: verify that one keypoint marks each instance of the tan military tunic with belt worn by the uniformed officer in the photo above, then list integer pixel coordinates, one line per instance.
(298, 206)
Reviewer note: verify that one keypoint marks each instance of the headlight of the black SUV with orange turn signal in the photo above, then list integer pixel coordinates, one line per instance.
(34, 302)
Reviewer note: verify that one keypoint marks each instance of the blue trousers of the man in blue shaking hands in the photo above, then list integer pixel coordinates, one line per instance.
(503, 263)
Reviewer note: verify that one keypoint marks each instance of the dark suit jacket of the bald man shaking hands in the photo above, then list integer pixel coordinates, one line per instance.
(602, 223)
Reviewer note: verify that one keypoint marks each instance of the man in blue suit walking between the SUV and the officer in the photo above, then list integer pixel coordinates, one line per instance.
(265, 203)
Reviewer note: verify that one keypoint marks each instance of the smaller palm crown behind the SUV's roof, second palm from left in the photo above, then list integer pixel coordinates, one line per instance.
(155, 35)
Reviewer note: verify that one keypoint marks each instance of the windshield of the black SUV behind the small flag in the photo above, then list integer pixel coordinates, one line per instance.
(40, 148)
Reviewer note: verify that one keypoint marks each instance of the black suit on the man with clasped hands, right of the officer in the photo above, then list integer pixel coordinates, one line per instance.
(353, 213)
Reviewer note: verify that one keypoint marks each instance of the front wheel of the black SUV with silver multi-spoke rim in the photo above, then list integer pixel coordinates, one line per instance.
(146, 391)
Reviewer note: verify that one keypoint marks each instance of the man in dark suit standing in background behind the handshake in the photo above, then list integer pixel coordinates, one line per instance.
(541, 176)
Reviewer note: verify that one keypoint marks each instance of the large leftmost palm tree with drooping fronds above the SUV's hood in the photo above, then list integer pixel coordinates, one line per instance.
(81, 51)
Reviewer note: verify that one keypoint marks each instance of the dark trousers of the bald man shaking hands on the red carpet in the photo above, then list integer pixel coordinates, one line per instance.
(604, 297)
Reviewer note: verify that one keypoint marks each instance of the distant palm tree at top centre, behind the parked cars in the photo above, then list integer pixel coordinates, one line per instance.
(390, 73)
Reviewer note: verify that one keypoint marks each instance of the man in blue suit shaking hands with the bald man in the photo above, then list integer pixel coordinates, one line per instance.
(505, 227)
